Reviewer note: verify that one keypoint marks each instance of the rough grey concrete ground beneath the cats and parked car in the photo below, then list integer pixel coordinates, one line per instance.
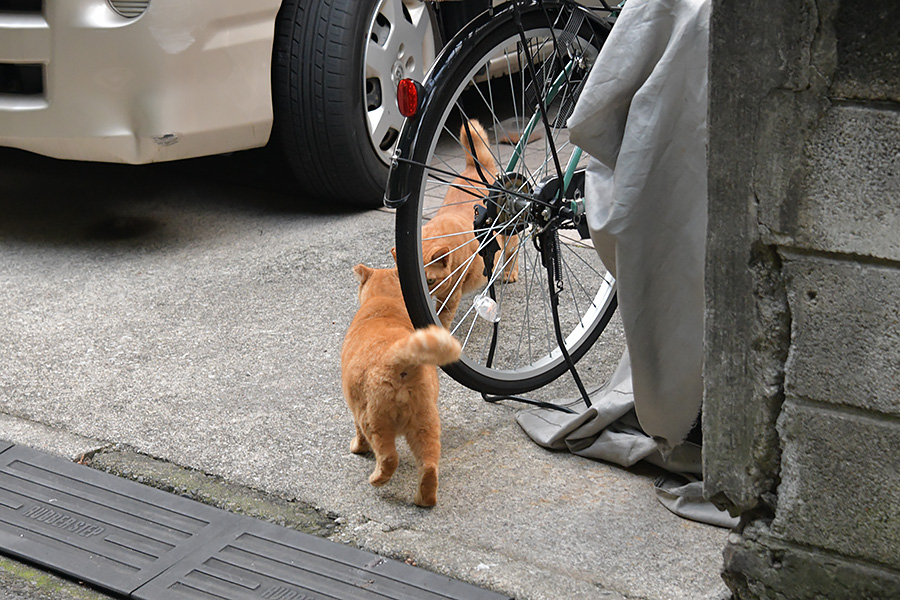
(181, 325)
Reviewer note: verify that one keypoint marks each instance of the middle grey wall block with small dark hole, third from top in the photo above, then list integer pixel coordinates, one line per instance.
(845, 333)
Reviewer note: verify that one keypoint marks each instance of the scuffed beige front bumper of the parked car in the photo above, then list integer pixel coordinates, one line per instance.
(186, 78)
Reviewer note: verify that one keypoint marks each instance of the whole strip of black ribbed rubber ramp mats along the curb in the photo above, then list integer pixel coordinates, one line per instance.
(140, 542)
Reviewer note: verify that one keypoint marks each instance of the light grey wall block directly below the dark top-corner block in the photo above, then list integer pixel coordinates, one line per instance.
(846, 199)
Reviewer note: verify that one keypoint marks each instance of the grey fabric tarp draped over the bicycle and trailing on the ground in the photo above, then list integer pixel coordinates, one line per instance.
(642, 118)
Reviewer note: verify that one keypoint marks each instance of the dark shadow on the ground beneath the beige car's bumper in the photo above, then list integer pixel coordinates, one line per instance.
(57, 202)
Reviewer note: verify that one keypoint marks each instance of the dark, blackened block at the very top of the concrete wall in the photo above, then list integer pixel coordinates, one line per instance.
(868, 50)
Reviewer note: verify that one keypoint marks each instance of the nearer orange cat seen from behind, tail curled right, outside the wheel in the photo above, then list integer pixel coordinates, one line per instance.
(390, 381)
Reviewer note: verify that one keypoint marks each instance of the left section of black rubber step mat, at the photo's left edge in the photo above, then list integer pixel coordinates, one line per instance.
(93, 526)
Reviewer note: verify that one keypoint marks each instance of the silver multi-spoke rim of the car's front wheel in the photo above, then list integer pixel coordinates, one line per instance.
(400, 43)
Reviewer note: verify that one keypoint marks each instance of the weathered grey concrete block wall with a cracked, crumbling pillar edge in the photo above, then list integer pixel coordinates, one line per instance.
(802, 373)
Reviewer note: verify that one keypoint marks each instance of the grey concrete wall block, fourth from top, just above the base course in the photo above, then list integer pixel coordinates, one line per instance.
(840, 483)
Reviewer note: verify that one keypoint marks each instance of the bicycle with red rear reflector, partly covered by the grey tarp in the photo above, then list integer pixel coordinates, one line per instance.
(518, 69)
